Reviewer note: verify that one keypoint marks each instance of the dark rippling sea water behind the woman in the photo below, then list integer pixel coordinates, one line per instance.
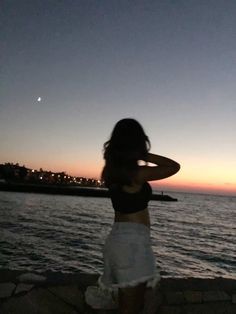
(195, 236)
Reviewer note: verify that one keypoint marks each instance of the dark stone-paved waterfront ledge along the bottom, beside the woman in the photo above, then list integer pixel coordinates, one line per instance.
(49, 293)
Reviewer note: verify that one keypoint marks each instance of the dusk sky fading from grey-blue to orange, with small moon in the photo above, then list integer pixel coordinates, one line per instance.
(169, 64)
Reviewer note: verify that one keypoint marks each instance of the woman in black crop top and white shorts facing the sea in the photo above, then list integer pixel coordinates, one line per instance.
(129, 263)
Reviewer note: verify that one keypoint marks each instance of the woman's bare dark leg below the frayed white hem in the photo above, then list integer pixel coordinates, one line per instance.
(131, 300)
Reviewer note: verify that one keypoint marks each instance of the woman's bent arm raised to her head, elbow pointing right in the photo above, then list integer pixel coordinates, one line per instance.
(165, 167)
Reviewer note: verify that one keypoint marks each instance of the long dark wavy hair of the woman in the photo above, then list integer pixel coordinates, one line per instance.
(128, 144)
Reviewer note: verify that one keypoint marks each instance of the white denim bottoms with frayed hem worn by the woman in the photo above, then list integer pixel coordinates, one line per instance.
(128, 257)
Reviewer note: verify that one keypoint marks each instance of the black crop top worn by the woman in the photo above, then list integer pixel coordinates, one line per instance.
(128, 203)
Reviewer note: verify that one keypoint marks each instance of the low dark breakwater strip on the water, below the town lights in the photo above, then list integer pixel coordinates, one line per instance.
(70, 190)
